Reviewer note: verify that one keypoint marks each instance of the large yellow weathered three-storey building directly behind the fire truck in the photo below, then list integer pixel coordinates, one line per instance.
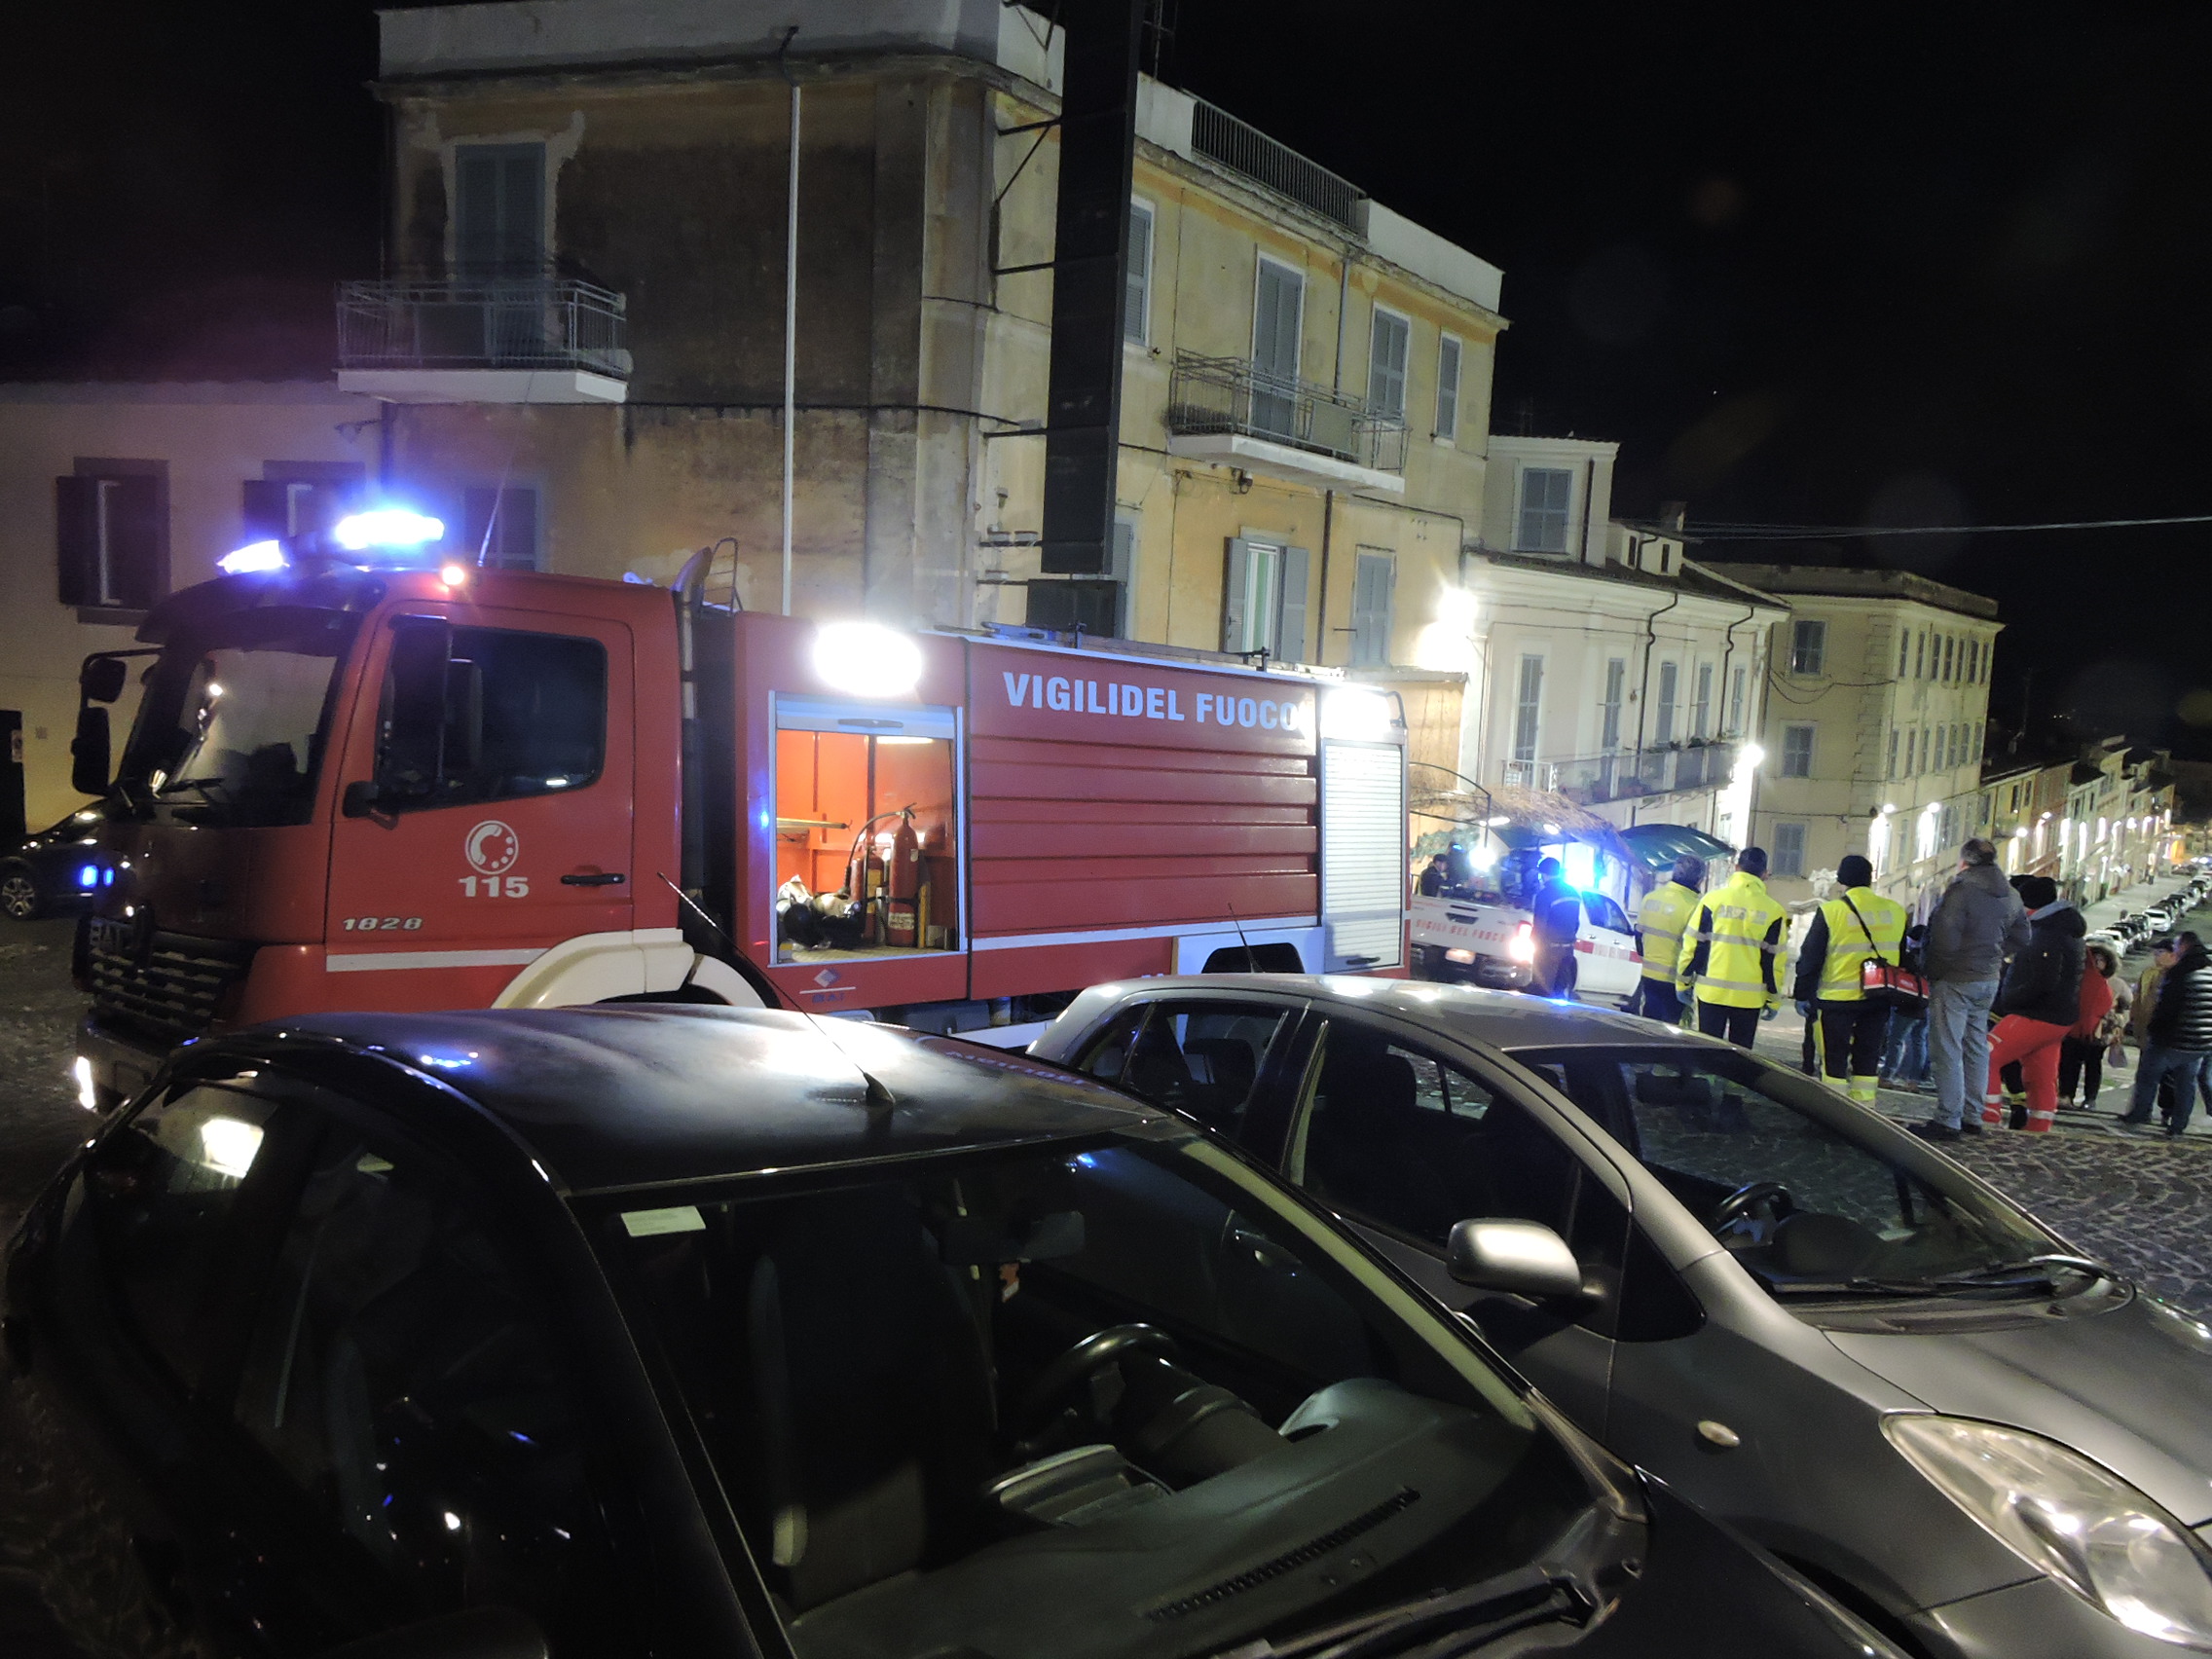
(1306, 375)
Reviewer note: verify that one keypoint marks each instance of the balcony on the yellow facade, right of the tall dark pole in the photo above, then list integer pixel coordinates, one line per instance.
(1235, 415)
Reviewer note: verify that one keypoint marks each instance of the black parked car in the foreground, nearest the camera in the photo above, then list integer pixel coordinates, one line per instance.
(716, 1333)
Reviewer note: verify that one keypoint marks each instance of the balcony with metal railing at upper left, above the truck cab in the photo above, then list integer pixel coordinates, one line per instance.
(497, 340)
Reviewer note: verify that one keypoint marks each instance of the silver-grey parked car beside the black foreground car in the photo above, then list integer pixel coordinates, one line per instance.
(1777, 1302)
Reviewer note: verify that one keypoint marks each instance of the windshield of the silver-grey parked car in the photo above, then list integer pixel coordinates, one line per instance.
(1791, 1178)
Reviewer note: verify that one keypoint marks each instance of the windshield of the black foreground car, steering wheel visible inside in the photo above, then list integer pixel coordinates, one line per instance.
(1107, 1399)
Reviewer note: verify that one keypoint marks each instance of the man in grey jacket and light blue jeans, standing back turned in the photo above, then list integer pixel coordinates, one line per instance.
(1976, 921)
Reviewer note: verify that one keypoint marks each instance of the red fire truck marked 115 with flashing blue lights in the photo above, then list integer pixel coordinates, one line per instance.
(357, 786)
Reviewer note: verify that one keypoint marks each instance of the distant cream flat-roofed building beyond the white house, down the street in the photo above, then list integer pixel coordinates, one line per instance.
(1875, 727)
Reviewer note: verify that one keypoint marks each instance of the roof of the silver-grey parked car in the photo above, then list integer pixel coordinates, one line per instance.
(1499, 1019)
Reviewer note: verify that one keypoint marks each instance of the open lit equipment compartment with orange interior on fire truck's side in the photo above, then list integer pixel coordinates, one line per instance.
(866, 831)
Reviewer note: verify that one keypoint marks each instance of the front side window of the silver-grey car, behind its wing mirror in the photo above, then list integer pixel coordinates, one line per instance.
(1410, 1140)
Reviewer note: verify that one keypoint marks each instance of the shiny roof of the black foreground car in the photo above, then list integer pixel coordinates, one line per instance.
(614, 1098)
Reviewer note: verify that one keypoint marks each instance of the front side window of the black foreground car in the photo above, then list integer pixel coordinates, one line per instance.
(406, 1384)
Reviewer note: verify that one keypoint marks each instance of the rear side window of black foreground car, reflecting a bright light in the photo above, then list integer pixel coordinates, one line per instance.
(163, 1193)
